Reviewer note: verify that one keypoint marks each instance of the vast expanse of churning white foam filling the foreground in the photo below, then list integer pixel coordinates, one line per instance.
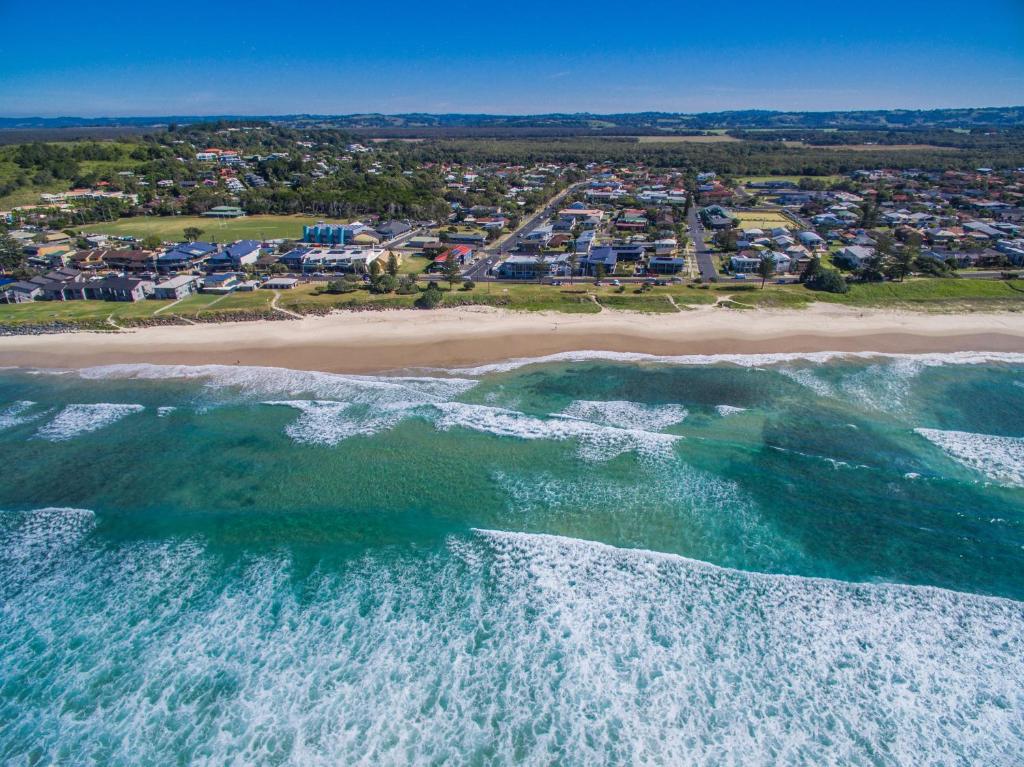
(503, 649)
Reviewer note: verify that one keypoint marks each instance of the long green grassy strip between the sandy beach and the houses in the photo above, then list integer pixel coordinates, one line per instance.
(915, 295)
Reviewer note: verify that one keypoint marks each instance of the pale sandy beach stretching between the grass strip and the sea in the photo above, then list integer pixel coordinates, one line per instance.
(371, 343)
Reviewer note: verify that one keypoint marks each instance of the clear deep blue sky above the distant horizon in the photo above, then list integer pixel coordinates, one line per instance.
(185, 58)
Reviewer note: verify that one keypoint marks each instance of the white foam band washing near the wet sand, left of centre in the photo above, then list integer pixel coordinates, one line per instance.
(269, 381)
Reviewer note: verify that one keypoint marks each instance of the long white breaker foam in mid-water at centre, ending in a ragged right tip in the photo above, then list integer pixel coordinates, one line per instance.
(598, 443)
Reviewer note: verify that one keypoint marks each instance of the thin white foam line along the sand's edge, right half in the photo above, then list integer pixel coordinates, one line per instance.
(747, 361)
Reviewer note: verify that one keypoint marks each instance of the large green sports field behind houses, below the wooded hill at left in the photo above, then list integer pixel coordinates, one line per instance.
(216, 230)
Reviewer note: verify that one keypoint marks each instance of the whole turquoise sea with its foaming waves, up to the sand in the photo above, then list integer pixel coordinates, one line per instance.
(589, 560)
